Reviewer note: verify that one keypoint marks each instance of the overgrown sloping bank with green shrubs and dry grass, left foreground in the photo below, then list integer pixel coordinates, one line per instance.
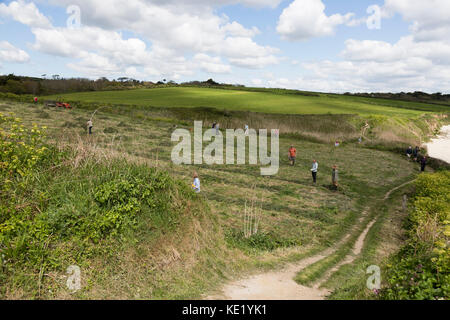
(133, 231)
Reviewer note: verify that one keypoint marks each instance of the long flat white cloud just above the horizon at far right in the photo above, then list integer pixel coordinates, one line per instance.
(407, 74)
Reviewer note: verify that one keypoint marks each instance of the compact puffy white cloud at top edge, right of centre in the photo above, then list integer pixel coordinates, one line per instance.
(304, 19)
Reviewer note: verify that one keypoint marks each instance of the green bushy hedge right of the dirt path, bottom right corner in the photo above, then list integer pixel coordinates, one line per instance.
(421, 270)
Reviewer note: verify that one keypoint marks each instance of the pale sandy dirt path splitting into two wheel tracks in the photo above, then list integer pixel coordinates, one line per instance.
(280, 285)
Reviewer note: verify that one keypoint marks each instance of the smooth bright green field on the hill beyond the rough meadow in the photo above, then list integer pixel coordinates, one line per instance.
(242, 100)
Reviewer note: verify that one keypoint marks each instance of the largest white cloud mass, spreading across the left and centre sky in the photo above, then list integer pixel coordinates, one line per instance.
(174, 29)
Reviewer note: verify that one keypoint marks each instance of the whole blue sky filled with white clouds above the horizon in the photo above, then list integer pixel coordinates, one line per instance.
(320, 45)
